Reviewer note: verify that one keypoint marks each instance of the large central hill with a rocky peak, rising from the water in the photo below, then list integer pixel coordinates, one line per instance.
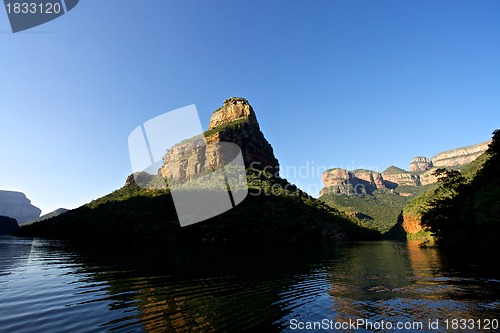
(274, 209)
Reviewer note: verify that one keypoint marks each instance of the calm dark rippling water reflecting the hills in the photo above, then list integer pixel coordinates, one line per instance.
(48, 286)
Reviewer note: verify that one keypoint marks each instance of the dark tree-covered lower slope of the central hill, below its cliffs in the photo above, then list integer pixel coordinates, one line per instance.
(274, 210)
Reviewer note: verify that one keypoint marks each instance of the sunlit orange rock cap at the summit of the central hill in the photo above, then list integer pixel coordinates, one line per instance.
(234, 108)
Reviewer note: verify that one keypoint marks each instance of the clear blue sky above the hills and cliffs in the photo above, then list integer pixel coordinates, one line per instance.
(333, 83)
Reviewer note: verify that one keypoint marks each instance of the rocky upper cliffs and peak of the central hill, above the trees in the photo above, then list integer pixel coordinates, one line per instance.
(235, 122)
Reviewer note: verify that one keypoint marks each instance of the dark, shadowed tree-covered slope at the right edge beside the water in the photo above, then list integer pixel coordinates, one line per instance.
(464, 211)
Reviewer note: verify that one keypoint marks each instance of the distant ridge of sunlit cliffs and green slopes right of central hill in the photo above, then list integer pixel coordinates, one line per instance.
(378, 199)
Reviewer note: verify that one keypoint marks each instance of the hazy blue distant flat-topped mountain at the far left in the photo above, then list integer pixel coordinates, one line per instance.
(16, 205)
